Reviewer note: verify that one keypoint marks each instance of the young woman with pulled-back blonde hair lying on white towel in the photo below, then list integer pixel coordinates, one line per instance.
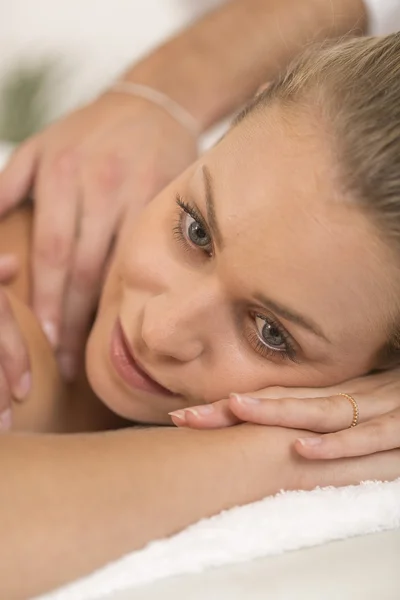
(273, 260)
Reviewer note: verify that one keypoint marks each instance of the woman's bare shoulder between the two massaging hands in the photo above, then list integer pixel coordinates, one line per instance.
(52, 406)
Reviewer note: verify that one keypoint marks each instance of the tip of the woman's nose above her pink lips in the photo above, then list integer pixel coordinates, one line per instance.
(176, 327)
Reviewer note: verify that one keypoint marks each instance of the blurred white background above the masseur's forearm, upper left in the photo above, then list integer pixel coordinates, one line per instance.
(92, 40)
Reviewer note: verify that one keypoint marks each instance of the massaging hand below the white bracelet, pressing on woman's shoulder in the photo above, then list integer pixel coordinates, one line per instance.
(83, 172)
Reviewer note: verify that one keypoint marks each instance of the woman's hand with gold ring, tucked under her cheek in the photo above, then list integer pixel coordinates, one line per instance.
(319, 410)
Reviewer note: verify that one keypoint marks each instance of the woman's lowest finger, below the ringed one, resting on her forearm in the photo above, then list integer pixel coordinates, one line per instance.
(377, 435)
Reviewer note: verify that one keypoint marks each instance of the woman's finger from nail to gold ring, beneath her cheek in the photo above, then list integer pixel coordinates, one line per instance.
(321, 415)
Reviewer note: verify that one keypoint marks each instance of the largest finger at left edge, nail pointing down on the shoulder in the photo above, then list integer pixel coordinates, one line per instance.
(14, 358)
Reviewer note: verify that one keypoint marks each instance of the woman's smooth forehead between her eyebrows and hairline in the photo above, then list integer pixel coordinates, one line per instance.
(288, 233)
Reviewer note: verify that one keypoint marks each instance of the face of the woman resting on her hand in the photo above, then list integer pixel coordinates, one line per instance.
(249, 270)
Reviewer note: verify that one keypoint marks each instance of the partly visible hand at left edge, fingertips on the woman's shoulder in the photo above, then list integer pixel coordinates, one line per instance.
(15, 377)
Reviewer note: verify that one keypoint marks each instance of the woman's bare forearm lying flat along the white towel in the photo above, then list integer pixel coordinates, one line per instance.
(72, 503)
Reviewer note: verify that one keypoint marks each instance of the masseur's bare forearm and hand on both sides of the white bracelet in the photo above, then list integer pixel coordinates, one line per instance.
(87, 169)
